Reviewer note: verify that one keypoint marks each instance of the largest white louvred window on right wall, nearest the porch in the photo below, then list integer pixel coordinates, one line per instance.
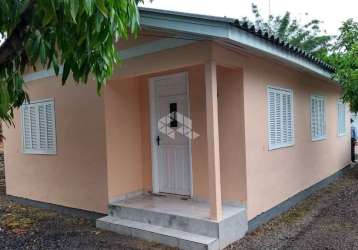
(280, 118)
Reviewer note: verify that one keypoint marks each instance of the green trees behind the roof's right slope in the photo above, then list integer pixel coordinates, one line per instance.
(341, 51)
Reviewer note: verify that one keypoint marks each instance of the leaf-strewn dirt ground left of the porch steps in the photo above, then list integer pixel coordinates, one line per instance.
(23, 227)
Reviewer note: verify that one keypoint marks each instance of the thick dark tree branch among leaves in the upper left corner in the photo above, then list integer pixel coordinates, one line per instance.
(14, 45)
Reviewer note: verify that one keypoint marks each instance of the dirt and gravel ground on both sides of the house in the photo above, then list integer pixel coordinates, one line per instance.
(326, 220)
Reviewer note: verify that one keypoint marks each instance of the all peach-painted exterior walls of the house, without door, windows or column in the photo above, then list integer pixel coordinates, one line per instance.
(104, 143)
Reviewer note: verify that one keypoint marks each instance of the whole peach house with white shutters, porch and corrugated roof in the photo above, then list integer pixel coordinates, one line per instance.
(267, 127)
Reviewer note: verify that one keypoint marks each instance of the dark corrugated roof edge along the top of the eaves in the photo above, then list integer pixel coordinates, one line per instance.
(251, 29)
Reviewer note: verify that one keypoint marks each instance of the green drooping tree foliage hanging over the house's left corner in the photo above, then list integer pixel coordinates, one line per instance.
(78, 34)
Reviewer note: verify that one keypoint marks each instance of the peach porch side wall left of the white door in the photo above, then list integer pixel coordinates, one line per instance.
(124, 137)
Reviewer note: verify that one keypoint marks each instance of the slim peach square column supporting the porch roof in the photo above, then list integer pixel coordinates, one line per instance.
(212, 124)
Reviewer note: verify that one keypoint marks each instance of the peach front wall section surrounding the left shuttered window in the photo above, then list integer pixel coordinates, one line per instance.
(76, 176)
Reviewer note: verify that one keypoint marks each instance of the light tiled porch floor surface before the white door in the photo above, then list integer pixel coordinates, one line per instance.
(179, 206)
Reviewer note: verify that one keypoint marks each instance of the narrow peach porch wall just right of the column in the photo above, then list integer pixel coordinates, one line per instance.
(232, 134)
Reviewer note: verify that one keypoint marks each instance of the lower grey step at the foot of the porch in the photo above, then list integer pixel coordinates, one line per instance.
(167, 236)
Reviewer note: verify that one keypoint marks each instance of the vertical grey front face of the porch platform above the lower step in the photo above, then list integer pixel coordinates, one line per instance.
(182, 223)
